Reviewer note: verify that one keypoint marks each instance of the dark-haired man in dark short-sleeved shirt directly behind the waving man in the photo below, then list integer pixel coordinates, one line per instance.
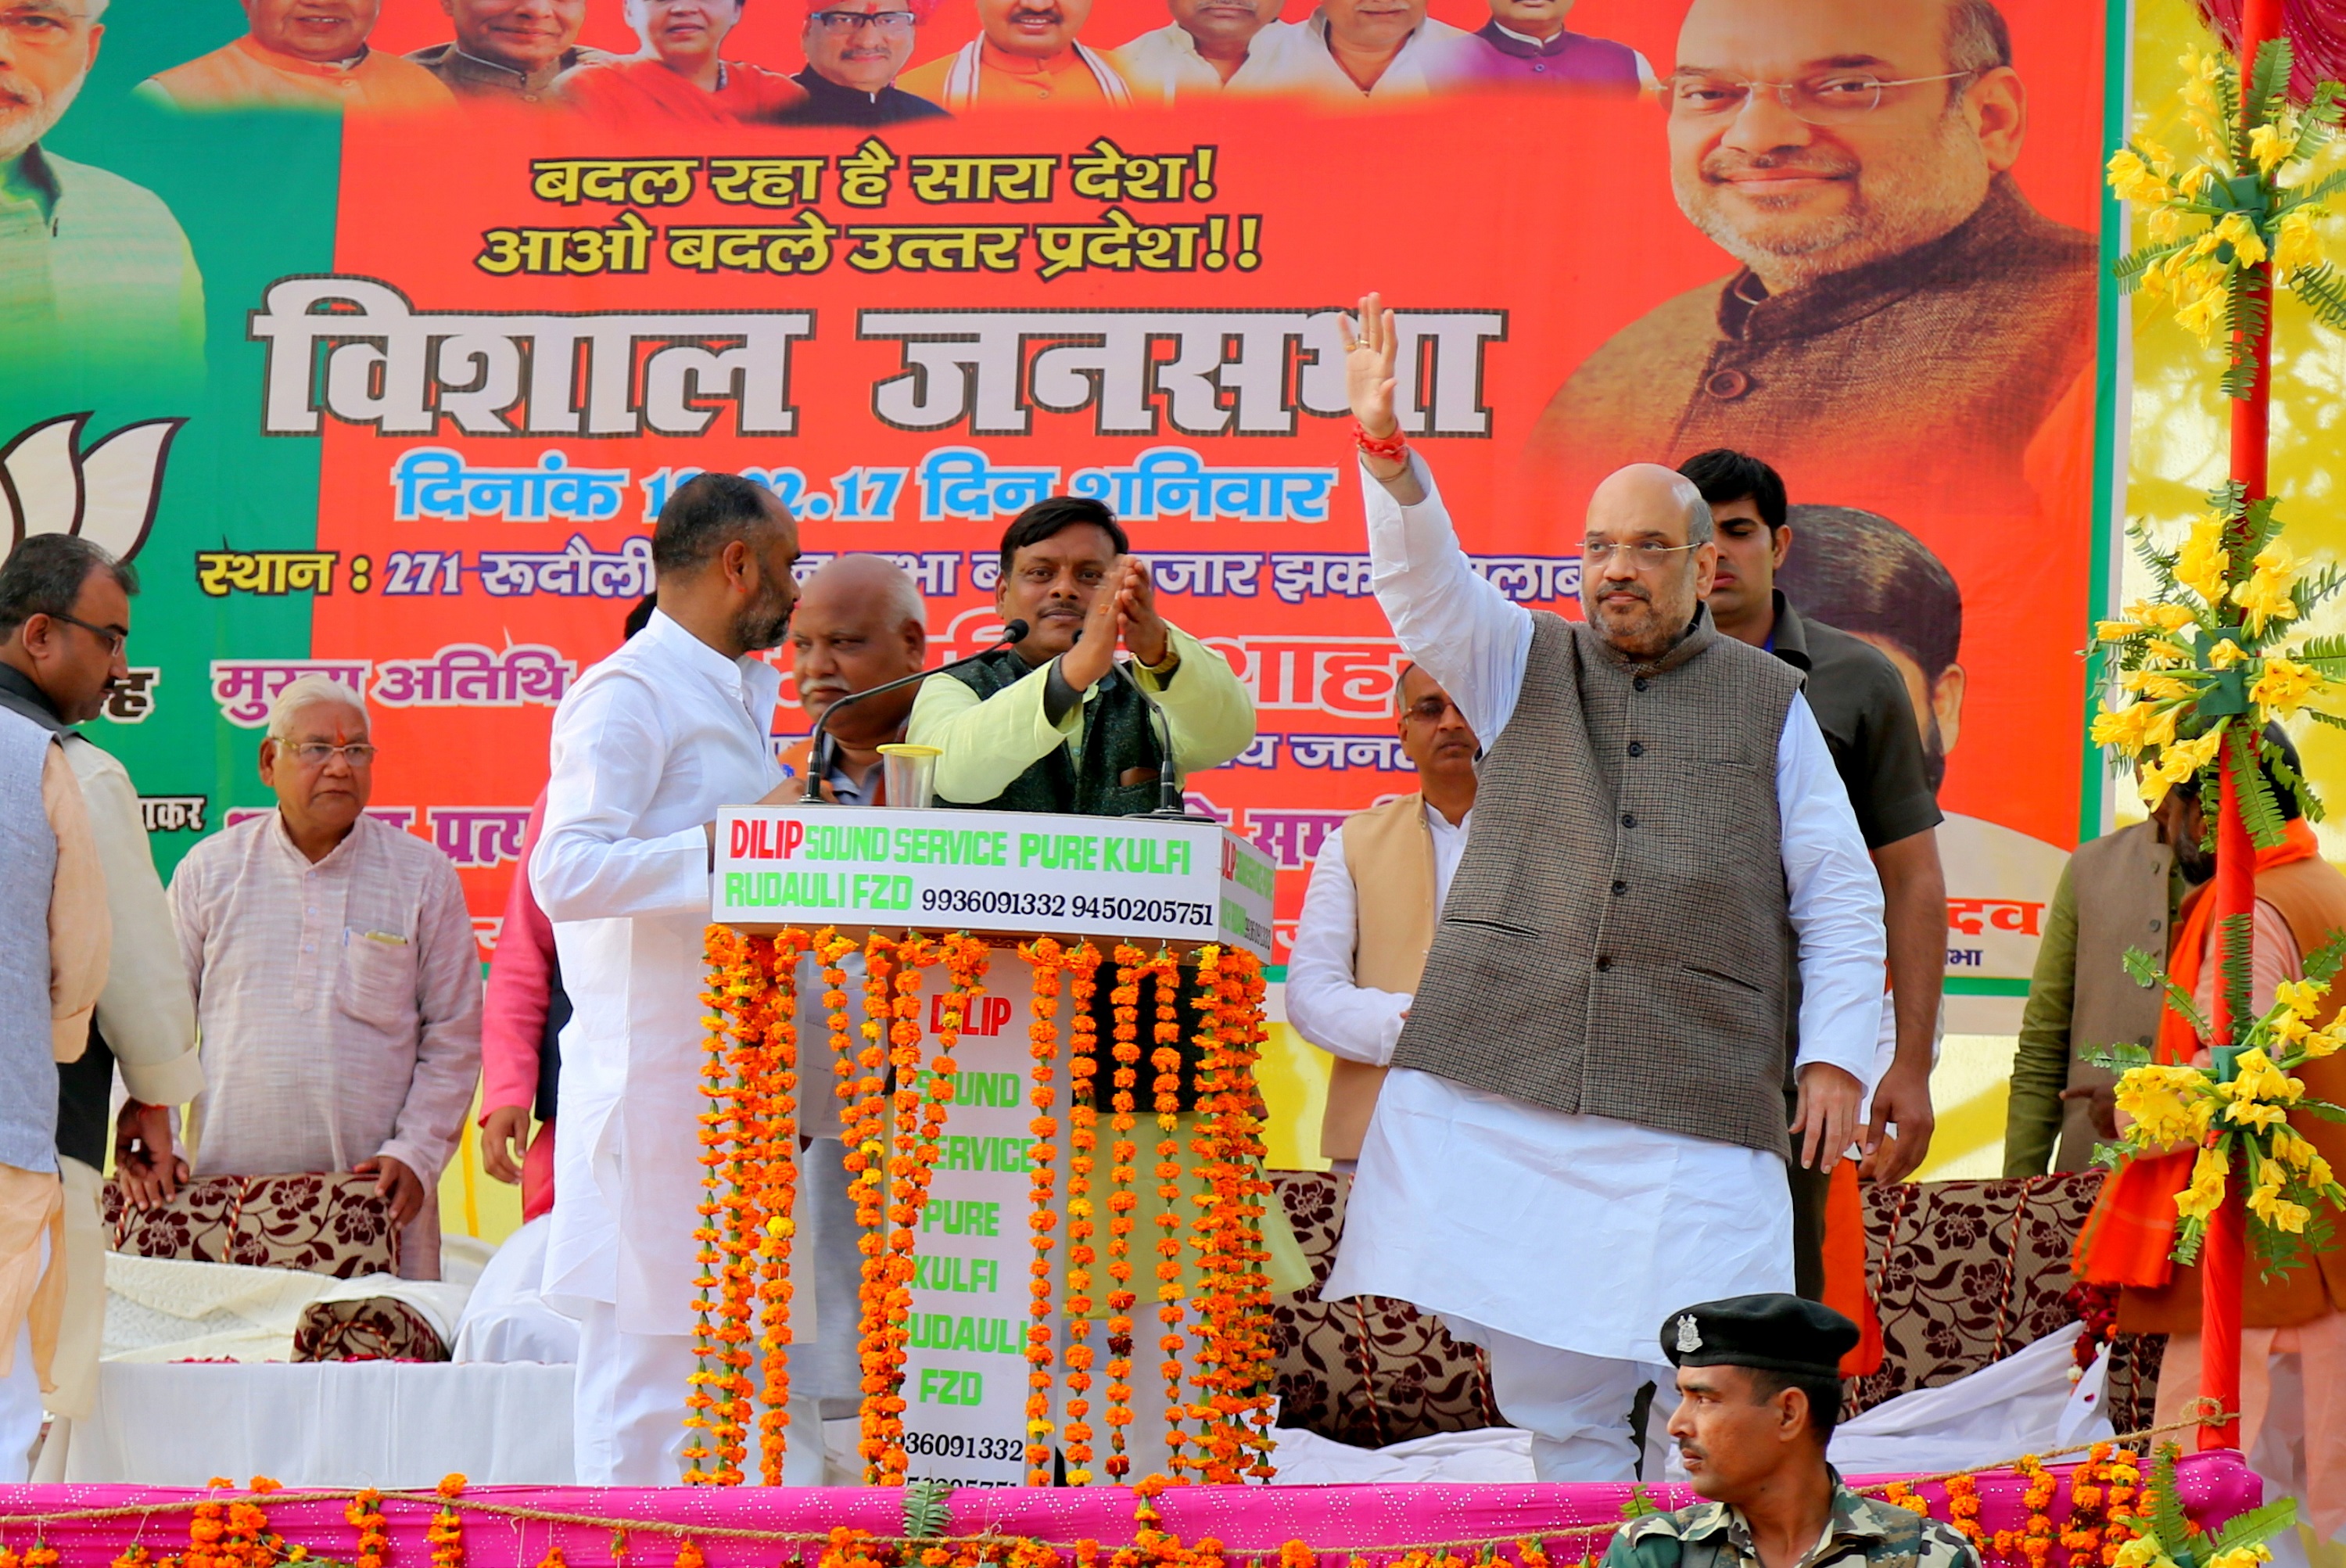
(1862, 705)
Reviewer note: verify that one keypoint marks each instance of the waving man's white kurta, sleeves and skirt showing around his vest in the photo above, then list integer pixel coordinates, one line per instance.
(1582, 1231)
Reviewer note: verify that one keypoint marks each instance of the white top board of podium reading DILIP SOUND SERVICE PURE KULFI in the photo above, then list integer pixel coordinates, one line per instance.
(1022, 874)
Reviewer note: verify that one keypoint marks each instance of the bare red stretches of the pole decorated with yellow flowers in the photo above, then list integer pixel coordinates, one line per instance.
(2223, 1264)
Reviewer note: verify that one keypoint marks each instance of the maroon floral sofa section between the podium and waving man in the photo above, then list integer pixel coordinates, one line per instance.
(1364, 1372)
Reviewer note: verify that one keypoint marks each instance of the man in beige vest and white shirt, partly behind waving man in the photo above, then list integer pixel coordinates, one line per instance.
(1357, 959)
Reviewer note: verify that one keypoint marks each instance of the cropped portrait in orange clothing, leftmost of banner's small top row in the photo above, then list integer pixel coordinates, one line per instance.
(301, 55)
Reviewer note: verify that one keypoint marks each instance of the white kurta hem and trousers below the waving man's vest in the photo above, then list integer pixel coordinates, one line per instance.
(1561, 1243)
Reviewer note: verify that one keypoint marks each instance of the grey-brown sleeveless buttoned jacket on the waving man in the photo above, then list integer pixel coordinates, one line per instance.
(1618, 938)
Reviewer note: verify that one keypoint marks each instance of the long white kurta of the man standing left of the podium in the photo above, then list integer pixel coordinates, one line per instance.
(646, 750)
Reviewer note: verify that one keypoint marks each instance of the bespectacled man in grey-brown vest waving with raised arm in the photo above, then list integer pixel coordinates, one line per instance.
(1585, 1121)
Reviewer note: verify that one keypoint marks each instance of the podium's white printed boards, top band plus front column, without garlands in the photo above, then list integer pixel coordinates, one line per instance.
(1008, 877)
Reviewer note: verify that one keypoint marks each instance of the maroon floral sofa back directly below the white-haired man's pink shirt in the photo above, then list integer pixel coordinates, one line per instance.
(330, 1224)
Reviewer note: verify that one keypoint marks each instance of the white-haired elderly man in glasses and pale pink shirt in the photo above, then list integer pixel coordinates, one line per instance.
(337, 980)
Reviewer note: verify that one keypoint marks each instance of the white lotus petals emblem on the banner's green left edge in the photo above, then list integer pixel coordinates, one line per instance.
(107, 492)
